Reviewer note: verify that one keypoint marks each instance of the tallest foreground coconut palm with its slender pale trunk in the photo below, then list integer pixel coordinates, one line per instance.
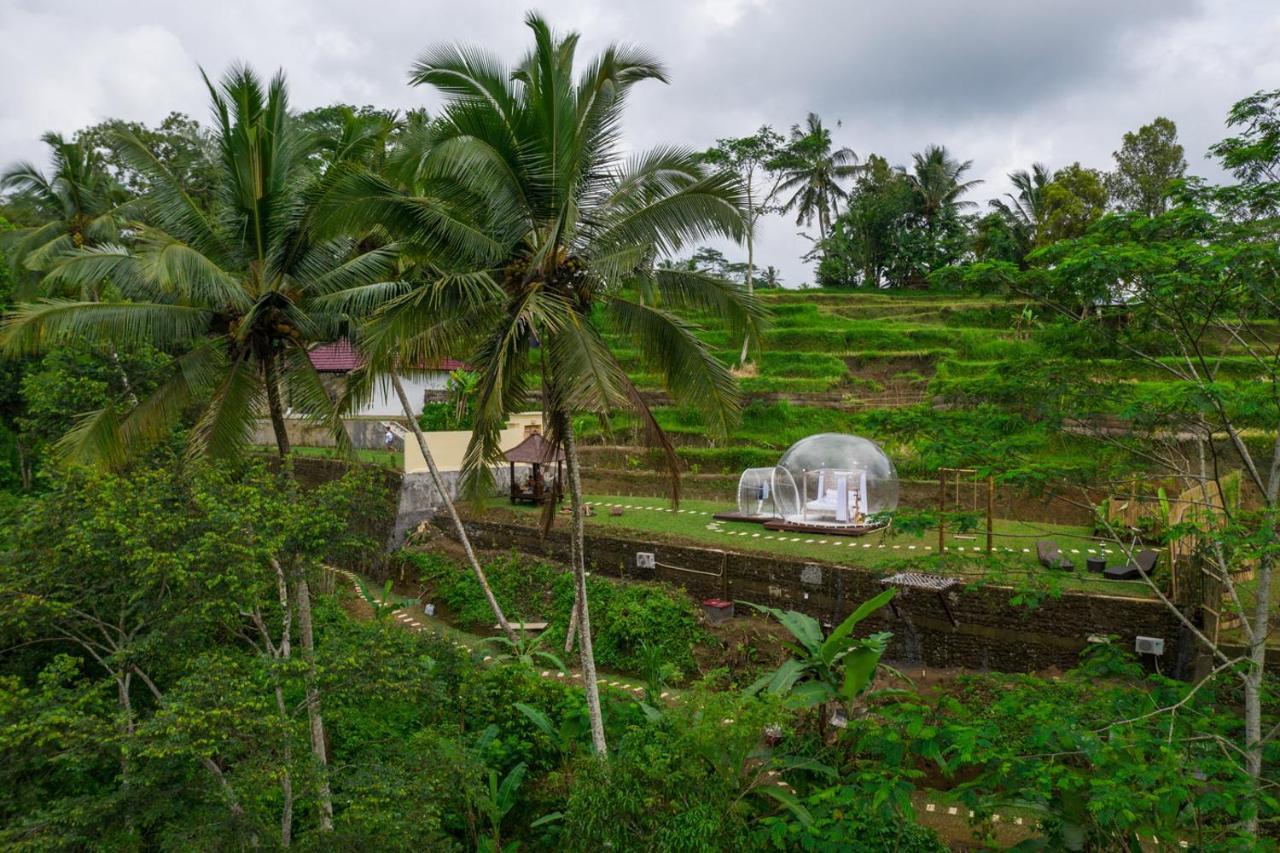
(542, 236)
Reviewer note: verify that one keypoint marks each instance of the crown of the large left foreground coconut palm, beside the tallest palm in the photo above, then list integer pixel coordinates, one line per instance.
(237, 293)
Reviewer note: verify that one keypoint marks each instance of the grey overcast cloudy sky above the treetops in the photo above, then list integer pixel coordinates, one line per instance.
(1002, 83)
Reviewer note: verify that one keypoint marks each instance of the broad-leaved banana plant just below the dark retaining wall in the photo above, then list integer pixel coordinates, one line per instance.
(825, 669)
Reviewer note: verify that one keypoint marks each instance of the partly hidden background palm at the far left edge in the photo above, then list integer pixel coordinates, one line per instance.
(79, 204)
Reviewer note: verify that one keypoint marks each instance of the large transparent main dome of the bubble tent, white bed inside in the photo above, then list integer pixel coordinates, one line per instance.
(835, 481)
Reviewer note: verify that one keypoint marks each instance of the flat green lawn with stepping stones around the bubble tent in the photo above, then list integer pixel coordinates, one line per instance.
(1014, 562)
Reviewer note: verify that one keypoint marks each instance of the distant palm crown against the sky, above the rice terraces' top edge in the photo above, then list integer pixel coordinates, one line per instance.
(813, 174)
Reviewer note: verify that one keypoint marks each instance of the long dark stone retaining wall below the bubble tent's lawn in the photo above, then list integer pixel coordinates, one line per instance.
(991, 633)
